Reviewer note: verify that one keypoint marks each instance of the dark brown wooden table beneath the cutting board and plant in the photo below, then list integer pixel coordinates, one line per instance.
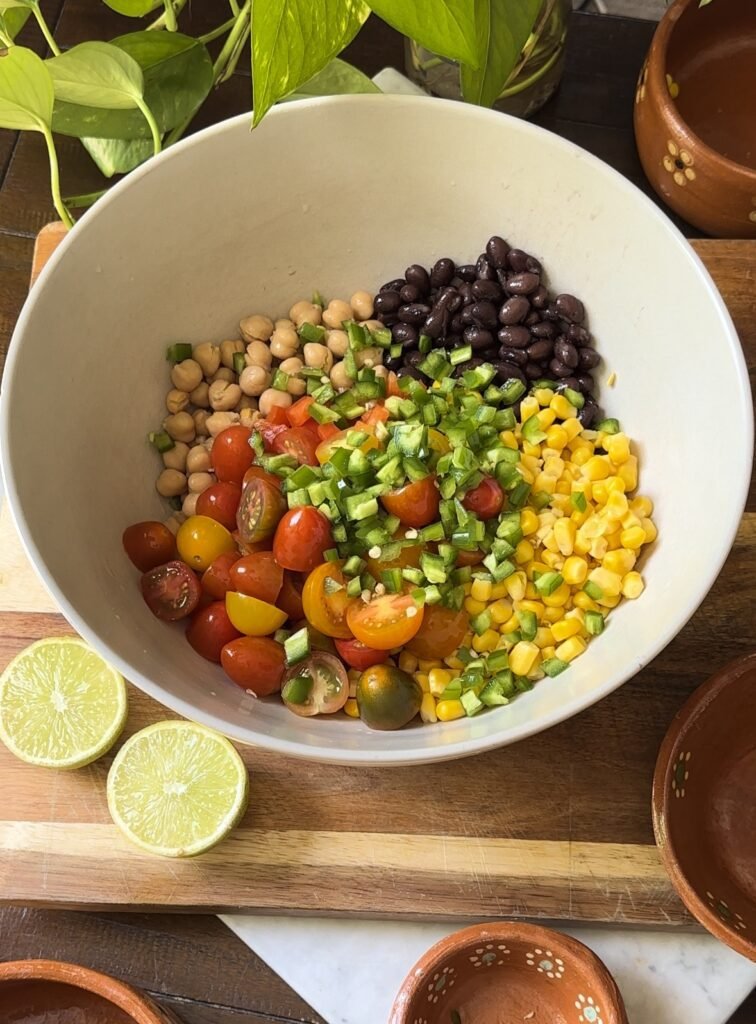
(190, 963)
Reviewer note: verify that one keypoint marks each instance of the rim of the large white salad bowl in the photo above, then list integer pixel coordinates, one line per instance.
(412, 755)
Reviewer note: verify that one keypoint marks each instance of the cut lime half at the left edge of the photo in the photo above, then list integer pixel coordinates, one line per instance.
(61, 705)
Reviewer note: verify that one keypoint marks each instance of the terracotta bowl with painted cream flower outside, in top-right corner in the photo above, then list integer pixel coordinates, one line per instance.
(695, 123)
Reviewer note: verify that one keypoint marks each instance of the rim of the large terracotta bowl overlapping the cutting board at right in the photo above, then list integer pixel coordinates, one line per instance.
(697, 706)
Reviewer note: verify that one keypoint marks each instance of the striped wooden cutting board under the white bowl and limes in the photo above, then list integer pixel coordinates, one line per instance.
(556, 827)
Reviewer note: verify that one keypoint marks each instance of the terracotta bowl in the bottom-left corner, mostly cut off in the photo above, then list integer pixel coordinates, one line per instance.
(37, 990)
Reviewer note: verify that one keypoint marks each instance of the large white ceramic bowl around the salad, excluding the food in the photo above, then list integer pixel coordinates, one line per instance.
(338, 195)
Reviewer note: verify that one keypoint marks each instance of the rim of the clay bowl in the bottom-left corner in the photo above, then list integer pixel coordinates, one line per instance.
(119, 994)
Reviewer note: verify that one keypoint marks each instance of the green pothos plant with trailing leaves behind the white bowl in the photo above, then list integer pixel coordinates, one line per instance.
(129, 98)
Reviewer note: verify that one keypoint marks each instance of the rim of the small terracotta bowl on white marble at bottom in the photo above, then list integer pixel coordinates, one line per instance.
(607, 990)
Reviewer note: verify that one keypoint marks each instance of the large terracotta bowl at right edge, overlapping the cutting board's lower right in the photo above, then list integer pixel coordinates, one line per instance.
(705, 805)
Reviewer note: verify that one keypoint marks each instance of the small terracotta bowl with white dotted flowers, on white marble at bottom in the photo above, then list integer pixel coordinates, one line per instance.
(491, 973)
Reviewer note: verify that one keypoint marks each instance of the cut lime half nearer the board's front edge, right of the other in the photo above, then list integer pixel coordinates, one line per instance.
(177, 789)
